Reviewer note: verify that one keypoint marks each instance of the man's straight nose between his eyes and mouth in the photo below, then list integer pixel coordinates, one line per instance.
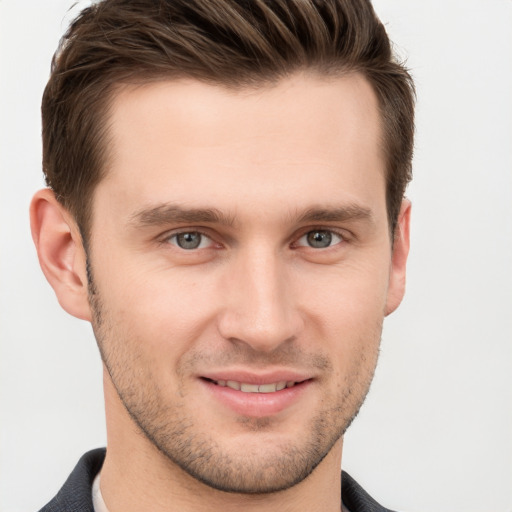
(259, 303)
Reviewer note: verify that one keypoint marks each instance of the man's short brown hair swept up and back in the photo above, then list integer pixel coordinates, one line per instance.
(234, 43)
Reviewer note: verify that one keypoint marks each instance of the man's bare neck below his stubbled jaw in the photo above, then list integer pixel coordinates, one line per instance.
(137, 476)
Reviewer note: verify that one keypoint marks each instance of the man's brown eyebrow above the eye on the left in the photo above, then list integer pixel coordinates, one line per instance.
(173, 214)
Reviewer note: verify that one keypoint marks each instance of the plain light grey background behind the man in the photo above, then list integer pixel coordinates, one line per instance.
(436, 431)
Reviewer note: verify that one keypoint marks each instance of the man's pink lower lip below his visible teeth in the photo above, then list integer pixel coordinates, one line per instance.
(257, 405)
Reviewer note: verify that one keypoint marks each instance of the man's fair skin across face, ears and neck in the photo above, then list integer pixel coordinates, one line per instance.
(275, 165)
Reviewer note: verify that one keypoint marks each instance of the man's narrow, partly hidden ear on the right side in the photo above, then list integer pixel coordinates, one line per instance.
(396, 288)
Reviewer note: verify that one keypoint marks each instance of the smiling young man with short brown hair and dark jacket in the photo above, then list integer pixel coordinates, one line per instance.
(225, 205)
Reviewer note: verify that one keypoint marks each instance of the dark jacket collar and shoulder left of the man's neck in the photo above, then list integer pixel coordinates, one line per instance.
(76, 495)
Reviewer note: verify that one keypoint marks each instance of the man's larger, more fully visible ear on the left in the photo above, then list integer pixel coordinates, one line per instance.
(61, 253)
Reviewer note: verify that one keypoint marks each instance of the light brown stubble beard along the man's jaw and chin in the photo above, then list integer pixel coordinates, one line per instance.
(175, 433)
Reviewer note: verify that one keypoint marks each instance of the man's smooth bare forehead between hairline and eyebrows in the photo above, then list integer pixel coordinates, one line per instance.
(306, 139)
